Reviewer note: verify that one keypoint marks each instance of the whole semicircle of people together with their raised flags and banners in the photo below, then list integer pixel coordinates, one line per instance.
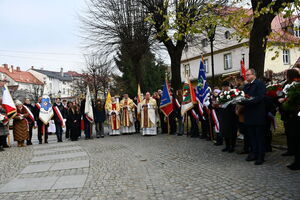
(245, 105)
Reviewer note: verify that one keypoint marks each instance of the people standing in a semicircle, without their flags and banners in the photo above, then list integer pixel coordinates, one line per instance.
(252, 117)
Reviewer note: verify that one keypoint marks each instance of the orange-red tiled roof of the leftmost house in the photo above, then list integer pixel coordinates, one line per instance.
(21, 76)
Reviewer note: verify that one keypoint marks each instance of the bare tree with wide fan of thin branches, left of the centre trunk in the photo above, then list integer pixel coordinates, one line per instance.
(118, 27)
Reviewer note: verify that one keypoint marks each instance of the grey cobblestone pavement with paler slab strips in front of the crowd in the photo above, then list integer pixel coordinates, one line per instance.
(134, 167)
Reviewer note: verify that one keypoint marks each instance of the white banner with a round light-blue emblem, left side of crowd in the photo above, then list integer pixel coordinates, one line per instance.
(46, 111)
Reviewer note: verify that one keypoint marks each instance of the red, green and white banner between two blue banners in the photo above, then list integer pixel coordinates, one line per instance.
(189, 97)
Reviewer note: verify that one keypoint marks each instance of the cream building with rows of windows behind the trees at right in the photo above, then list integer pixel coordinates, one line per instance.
(228, 53)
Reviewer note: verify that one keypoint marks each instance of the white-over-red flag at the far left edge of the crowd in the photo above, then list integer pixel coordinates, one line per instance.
(8, 103)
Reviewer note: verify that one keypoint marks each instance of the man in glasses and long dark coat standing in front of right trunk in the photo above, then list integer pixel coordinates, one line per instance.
(255, 116)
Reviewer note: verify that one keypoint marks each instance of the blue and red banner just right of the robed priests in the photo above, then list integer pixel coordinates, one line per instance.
(166, 105)
